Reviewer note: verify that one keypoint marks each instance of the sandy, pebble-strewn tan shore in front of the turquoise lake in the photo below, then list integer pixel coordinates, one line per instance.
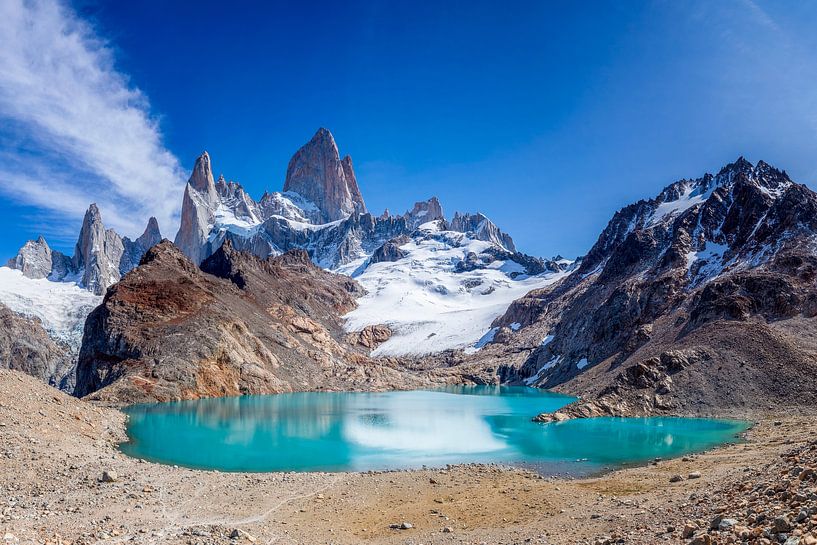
(54, 450)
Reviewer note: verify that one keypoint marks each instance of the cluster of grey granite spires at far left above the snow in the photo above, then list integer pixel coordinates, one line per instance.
(100, 258)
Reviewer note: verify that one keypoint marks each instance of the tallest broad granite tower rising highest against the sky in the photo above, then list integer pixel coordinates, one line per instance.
(317, 173)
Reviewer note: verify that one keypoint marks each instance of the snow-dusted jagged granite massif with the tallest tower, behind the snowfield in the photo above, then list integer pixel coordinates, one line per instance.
(320, 210)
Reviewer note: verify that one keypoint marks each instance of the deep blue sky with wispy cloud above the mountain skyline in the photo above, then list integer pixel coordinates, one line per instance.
(546, 116)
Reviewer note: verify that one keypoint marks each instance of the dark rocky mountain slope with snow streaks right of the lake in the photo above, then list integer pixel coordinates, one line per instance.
(702, 297)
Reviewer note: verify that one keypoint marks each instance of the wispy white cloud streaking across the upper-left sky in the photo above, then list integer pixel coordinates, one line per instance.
(75, 130)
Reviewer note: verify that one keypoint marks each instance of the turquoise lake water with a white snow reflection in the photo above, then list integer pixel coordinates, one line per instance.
(343, 431)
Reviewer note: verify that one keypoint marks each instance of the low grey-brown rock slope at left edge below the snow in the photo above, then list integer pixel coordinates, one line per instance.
(25, 346)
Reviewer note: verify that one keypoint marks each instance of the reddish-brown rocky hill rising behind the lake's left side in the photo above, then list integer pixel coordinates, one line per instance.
(239, 325)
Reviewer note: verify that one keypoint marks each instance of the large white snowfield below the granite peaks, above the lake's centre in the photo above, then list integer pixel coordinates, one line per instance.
(428, 305)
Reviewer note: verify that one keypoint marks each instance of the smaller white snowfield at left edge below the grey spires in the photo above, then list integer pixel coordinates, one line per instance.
(61, 306)
